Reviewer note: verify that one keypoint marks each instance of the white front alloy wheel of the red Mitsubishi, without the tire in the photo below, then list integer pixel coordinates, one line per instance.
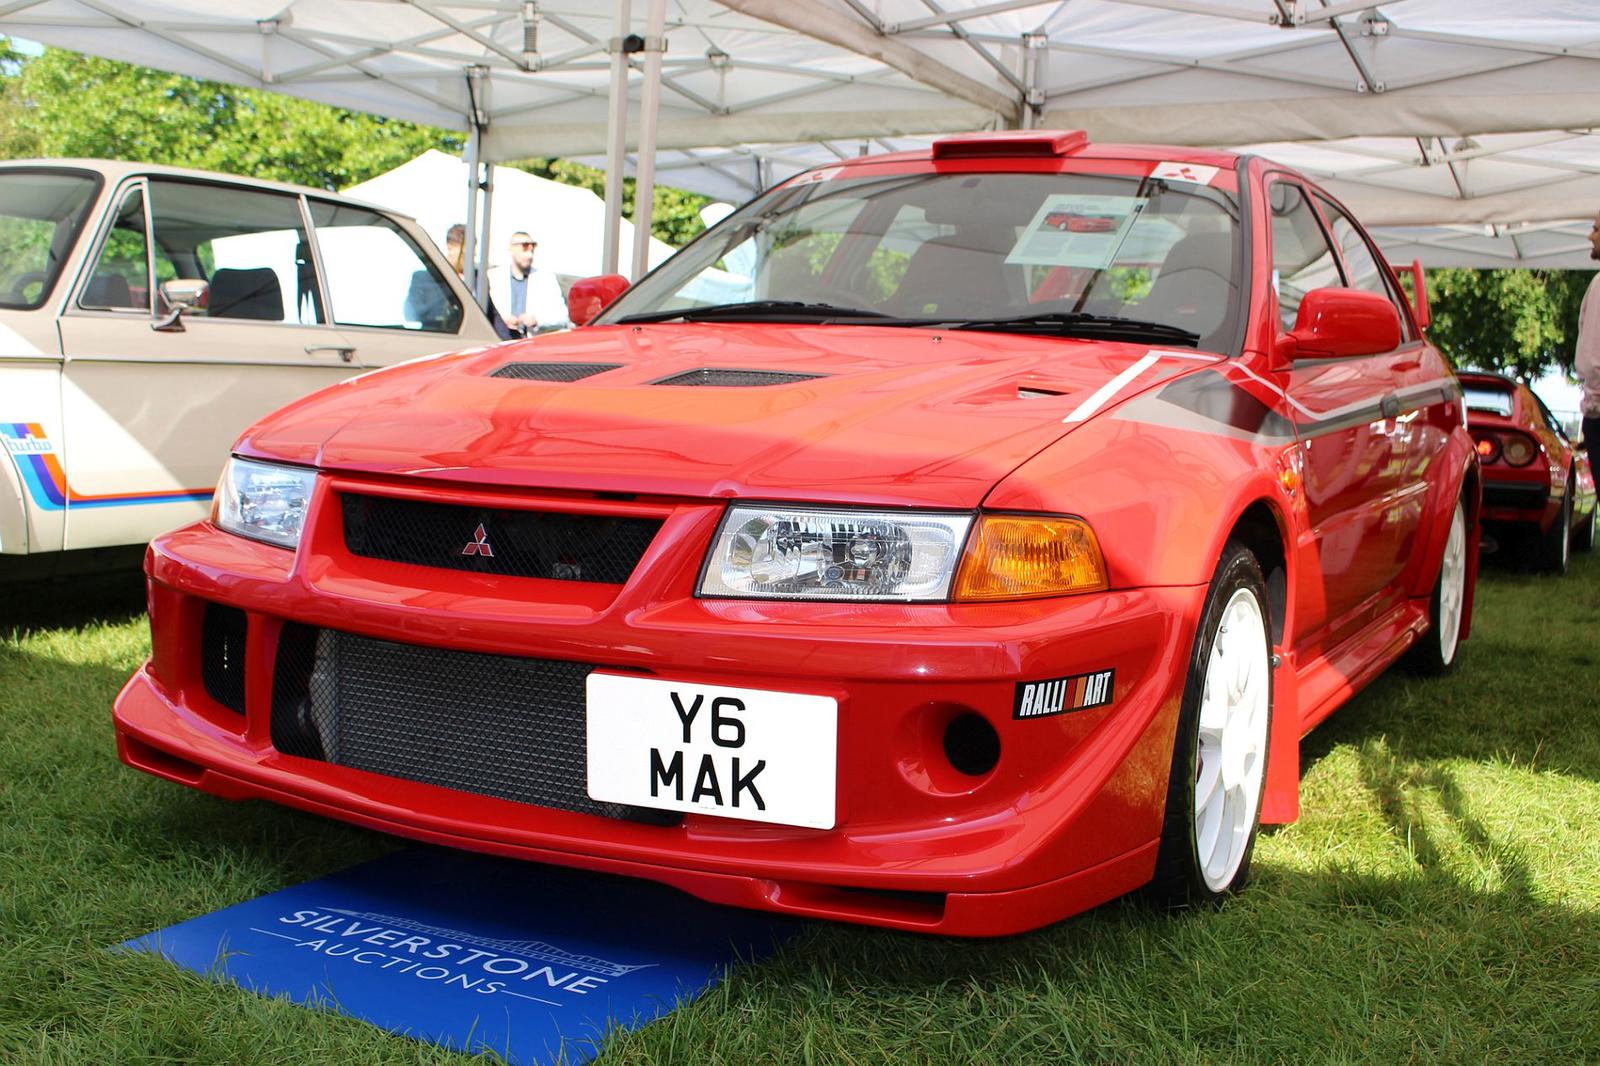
(1233, 742)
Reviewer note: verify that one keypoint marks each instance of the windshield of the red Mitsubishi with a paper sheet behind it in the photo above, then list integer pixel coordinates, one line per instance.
(991, 249)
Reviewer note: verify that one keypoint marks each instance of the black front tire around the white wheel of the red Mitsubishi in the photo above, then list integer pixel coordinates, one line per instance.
(1180, 875)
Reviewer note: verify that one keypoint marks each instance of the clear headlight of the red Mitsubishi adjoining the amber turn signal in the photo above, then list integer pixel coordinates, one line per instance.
(810, 555)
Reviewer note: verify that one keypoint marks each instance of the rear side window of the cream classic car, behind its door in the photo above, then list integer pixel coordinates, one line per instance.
(378, 276)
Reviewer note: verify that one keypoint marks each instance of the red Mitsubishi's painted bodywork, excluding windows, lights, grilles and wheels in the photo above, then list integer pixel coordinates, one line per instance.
(1348, 470)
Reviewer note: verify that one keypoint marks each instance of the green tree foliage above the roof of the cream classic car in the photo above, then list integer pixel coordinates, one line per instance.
(68, 105)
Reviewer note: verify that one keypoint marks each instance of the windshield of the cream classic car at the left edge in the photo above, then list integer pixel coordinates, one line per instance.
(41, 218)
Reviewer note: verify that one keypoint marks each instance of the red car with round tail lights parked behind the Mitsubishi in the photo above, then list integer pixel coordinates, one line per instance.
(1535, 481)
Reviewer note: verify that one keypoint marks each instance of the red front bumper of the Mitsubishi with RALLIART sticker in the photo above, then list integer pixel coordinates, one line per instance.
(1068, 819)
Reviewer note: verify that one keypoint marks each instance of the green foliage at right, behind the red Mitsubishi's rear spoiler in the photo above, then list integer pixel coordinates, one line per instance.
(1522, 323)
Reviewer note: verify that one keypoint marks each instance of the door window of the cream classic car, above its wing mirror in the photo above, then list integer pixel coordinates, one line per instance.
(247, 247)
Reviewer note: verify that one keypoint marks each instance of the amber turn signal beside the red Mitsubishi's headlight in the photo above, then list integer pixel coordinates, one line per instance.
(1014, 558)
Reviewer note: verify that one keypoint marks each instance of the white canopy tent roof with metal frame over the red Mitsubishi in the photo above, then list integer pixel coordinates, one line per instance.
(1476, 89)
